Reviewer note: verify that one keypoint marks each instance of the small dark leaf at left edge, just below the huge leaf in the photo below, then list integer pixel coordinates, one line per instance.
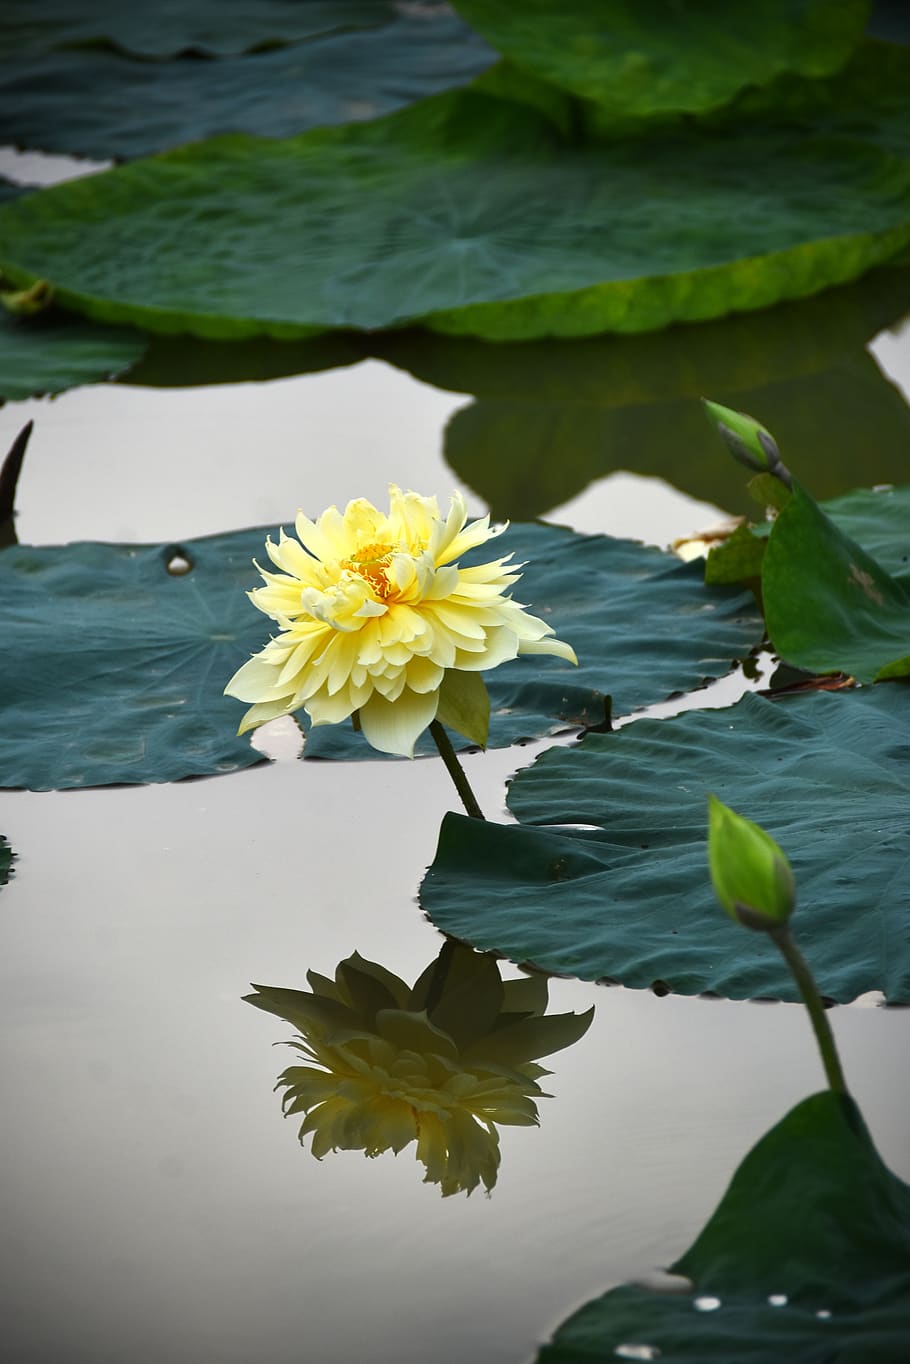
(53, 351)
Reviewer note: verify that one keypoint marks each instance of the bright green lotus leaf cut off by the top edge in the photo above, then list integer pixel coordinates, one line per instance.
(660, 58)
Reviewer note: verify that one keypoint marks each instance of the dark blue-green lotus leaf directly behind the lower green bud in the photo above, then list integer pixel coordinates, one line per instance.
(606, 878)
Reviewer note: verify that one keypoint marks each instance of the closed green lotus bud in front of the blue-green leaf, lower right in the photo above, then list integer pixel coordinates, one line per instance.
(752, 878)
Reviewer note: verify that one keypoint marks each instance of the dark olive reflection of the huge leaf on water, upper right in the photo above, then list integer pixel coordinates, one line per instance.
(552, 418)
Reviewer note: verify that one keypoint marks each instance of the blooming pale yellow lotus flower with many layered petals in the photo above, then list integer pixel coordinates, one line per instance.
(373, 613)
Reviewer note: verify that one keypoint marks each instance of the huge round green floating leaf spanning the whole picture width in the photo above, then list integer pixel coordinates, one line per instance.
(481, 220)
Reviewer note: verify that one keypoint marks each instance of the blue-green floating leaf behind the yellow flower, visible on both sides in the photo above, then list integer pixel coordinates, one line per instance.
(113, 669)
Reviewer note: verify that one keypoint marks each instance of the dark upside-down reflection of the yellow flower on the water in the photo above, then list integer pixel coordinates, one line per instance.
(440, 1065)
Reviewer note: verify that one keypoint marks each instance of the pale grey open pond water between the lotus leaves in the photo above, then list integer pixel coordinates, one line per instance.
(156, 1206)
